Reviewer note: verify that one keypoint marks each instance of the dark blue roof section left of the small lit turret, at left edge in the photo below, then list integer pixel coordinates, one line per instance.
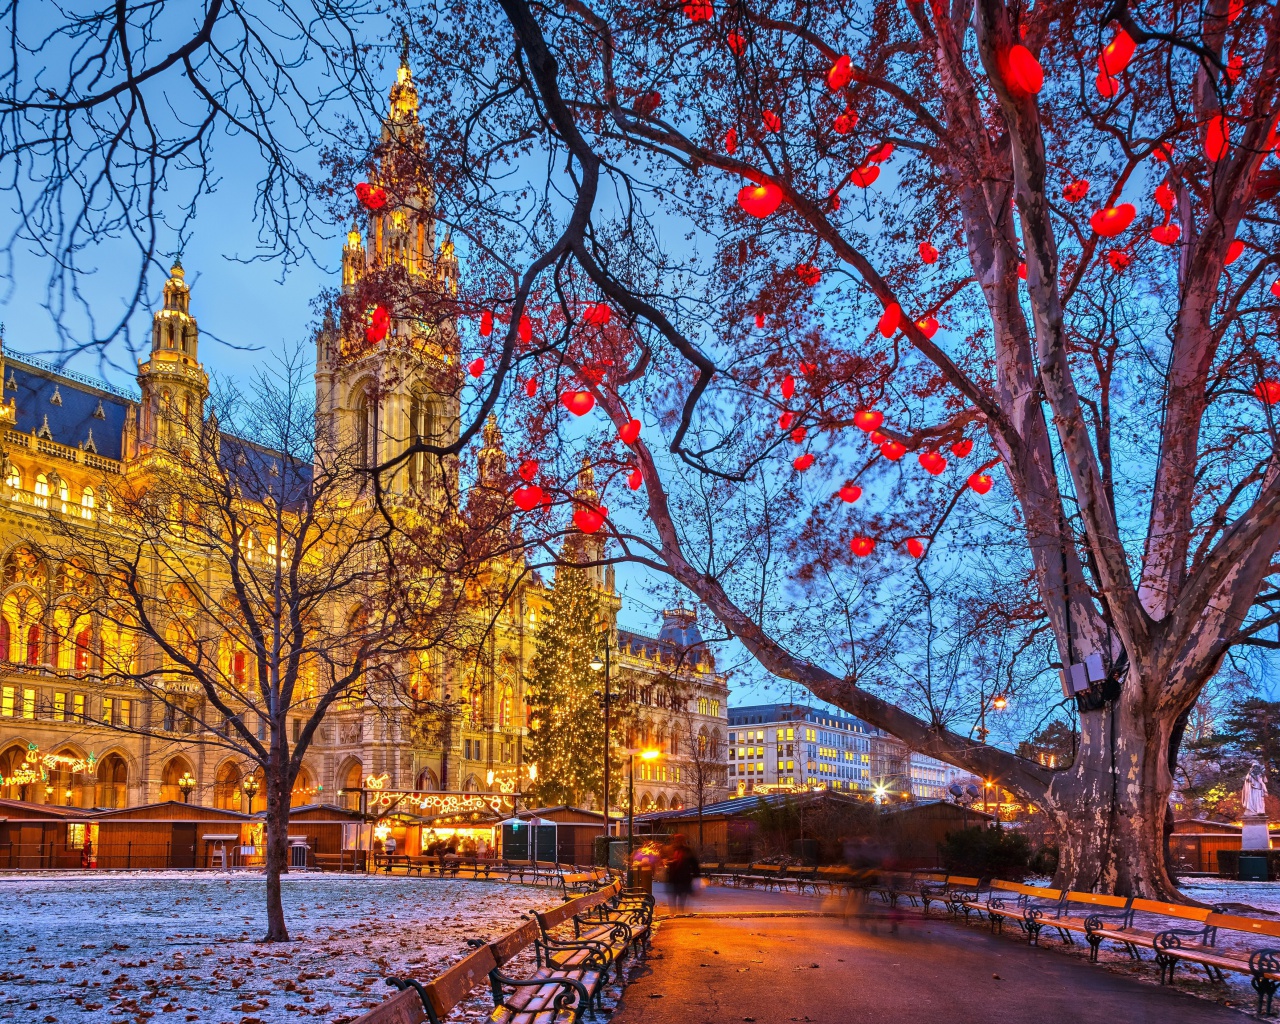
(66, 408)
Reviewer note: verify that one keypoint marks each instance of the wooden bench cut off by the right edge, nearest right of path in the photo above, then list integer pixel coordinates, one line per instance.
(1255, 950)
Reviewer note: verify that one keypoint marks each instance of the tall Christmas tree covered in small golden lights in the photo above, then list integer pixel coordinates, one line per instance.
(566, 716)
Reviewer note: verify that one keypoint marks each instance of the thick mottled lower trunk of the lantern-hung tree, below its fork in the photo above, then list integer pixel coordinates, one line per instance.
(1110, 807)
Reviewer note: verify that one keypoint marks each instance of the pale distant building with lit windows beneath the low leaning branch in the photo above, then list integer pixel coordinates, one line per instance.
(789, 746)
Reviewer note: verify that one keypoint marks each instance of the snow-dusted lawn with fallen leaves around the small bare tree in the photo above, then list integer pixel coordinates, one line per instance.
(184, 947)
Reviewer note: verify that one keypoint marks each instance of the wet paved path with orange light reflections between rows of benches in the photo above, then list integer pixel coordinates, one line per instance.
(752, 958)
